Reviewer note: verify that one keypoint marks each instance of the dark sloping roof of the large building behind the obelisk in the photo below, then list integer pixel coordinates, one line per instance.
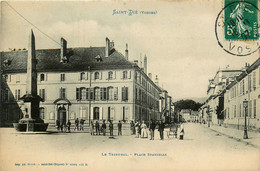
(80, 59)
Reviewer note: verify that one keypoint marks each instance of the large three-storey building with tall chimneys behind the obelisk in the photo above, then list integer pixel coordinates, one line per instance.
(93, 83)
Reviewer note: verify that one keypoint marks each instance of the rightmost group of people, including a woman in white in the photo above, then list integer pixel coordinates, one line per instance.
(141, 129)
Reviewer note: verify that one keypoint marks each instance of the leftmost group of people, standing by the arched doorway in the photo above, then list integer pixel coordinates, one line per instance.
(65, 127)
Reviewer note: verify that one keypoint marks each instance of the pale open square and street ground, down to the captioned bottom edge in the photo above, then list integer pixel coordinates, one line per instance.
(201, 149)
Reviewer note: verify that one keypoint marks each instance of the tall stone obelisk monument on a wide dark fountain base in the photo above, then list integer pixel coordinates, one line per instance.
(31, 121)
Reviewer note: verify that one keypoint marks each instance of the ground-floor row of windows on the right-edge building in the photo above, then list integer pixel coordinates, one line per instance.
(239, 110)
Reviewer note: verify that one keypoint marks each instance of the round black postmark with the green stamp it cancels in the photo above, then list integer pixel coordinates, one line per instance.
(237, 27)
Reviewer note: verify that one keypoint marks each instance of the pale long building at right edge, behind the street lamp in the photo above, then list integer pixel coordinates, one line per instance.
(245, 87)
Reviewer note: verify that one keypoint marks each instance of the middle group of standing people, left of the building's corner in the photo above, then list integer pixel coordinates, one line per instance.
(96, 129)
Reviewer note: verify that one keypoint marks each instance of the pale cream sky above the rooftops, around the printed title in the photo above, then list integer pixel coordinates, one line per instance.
(179, 40)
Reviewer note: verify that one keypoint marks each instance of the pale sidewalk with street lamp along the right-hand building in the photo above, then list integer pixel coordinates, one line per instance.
(253, 137)
